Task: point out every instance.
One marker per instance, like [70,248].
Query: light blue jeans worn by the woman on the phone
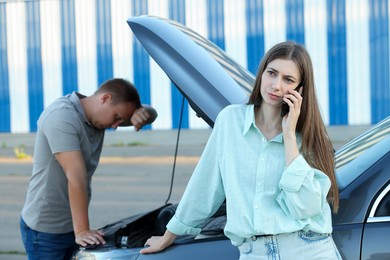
[297,245]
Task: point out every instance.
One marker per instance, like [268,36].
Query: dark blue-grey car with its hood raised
[210,81]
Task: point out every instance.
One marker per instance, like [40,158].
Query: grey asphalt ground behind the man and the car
[134,175]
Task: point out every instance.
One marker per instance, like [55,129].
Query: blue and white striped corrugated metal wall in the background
[50,48]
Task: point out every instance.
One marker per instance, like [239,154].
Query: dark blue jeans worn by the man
[46,246]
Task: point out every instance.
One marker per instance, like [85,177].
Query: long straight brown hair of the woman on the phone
[316,146]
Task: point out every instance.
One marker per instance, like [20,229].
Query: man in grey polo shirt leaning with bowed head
[68,145]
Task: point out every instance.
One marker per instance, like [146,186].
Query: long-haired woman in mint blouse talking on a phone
[276,172]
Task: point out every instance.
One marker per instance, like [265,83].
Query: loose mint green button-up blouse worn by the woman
[263,196]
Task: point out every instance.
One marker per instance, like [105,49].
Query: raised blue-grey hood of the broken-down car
[202,72]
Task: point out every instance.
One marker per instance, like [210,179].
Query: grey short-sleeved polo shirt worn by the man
[62,127]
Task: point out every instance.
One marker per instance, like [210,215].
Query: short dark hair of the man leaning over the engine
[121,91]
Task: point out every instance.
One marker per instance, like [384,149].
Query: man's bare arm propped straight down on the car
[73,165]
